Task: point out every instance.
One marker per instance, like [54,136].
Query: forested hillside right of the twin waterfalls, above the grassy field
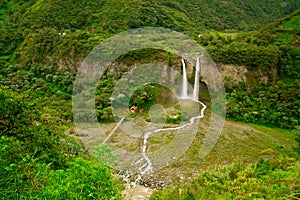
[270,96]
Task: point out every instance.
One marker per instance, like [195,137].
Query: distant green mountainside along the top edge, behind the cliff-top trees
[119,15]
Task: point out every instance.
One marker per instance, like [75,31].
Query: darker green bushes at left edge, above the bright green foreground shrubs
[21,122]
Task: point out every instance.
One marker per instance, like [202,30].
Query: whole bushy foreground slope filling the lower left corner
[39,161]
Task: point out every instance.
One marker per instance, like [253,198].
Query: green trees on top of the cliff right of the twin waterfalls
[277,45]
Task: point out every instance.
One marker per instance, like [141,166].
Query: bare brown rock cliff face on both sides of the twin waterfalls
[231,74]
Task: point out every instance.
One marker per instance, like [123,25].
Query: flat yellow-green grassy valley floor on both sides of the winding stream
[238,142]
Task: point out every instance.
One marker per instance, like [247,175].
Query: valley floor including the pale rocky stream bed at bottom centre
[232,146]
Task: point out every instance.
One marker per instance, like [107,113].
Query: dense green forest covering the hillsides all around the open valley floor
[43,43]
